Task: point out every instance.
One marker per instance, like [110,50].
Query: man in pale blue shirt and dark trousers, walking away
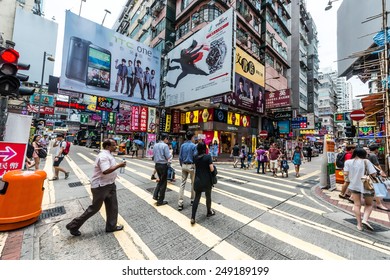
[161,157]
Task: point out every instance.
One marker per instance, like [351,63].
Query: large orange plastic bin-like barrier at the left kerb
[21,198]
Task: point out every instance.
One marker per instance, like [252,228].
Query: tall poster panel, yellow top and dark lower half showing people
[249,84]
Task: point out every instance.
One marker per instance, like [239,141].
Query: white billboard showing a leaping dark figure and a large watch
[202,65]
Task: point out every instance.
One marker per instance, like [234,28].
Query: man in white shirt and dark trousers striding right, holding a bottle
[103,190]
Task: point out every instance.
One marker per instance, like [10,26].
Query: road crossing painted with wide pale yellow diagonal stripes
[258,217]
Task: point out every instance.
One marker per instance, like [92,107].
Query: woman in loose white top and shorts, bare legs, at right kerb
[355,170]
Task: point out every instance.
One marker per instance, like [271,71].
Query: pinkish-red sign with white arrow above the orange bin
[11,156]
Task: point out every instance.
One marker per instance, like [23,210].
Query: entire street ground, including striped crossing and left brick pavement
[258,217]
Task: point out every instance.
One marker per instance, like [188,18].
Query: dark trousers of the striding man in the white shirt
[107,195]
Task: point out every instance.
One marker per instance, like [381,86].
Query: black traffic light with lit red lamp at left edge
[9,83]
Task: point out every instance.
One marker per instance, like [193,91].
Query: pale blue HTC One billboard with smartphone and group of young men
[101,62]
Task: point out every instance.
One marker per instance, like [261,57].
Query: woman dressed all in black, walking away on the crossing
[203,180]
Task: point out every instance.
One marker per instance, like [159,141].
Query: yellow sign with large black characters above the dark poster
[249,67]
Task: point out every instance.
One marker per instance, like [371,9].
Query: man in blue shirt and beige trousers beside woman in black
[186,160]
